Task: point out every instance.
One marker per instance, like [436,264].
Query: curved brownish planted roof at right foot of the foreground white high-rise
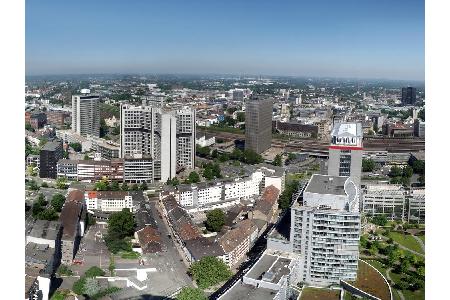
[370,281]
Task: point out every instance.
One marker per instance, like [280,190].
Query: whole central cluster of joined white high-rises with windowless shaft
[168,137]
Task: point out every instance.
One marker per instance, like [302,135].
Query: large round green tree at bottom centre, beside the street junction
[209,271]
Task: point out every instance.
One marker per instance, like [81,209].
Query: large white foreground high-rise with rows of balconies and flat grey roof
[325,230]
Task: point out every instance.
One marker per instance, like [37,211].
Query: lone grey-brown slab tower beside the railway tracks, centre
[258,123]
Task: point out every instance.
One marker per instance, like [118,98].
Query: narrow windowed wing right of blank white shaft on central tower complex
[185,138]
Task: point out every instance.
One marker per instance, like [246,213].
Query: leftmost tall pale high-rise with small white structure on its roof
[86,113]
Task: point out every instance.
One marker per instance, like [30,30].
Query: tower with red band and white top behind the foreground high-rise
[345,151]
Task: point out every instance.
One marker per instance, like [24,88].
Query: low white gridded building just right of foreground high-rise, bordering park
[384,199]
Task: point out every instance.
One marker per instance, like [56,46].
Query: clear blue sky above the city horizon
[331,38]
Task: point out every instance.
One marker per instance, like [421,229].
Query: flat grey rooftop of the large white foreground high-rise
[326,184]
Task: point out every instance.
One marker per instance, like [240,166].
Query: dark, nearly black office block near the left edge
[49,156]
